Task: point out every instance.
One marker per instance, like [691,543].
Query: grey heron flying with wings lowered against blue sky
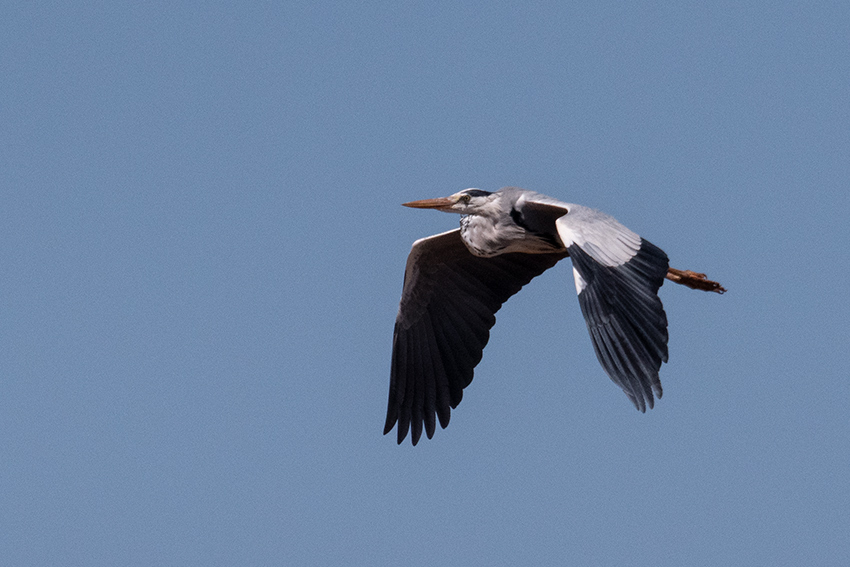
[455,282]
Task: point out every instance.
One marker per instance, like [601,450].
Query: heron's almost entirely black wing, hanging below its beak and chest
[448,306]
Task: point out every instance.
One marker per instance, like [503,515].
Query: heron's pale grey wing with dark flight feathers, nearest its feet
[617,275]
